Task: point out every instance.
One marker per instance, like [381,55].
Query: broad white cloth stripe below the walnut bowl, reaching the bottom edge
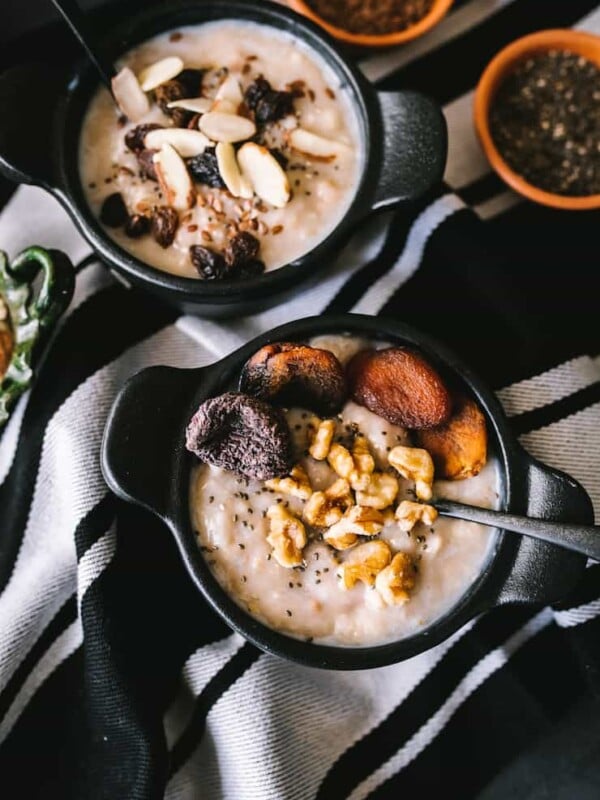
[330,711]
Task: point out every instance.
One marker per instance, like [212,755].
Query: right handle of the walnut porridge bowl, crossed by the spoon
[542,572]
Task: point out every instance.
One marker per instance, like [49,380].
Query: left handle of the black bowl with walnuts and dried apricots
[143,446]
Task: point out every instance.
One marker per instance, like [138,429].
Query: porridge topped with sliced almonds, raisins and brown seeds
[234,150]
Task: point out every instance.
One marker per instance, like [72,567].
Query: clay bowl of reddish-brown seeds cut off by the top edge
[374,23]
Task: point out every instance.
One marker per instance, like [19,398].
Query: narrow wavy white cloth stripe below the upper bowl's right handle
[410,260]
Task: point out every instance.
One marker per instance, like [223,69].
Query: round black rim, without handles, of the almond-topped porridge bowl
[151,22]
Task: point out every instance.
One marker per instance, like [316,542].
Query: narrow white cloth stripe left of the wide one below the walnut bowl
[197,672]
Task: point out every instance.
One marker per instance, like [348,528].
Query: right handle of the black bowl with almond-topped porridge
[415,140]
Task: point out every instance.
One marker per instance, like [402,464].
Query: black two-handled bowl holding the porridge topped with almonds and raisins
[403,135]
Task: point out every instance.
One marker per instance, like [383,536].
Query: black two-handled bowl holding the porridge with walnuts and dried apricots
[144,461]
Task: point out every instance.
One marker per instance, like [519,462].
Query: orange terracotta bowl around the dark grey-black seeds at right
[585,44]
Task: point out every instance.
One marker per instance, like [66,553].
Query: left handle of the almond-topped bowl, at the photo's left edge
[28,97]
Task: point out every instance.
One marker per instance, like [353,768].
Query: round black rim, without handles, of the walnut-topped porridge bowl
[477,597]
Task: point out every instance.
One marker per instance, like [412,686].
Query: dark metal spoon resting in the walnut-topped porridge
[583,539]
